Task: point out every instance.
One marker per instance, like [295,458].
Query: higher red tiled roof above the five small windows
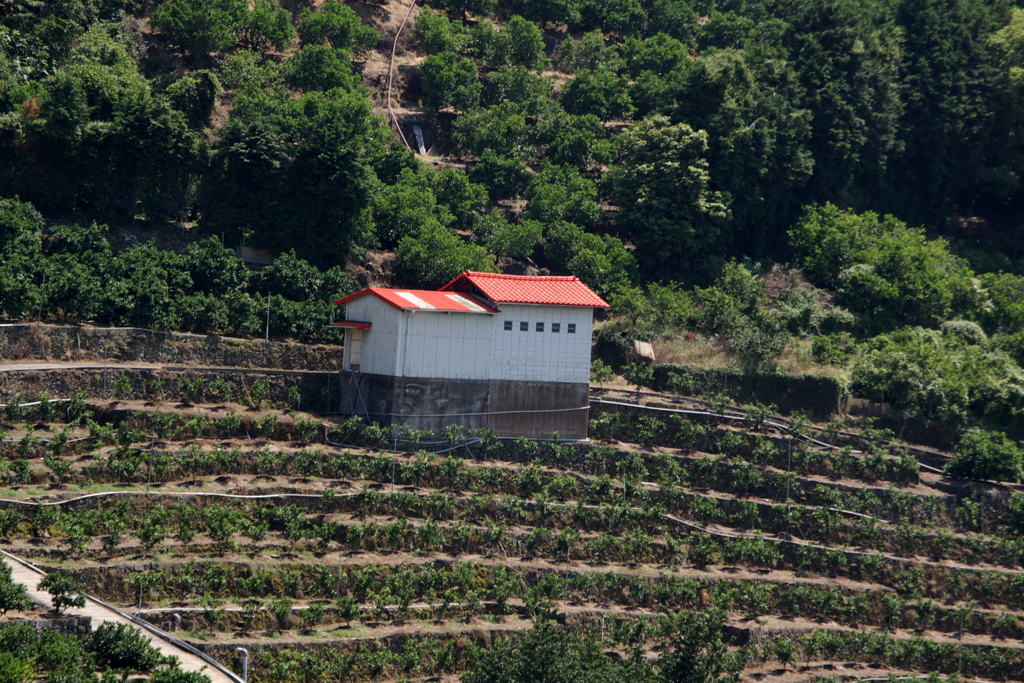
[549,290]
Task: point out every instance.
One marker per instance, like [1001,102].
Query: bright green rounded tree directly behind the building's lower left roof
[435,257]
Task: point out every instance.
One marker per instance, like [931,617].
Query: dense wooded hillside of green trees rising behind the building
[830,187]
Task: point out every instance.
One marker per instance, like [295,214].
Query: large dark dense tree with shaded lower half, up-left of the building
[294,173]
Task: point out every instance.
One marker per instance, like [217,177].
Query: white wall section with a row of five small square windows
[543,357]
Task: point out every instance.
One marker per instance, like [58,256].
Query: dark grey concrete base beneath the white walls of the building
[535,410]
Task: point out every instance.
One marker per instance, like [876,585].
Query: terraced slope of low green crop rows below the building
[791,553]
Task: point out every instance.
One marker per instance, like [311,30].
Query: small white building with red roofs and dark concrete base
[508,353]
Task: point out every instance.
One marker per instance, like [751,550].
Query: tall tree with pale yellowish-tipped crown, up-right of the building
[662,188]
